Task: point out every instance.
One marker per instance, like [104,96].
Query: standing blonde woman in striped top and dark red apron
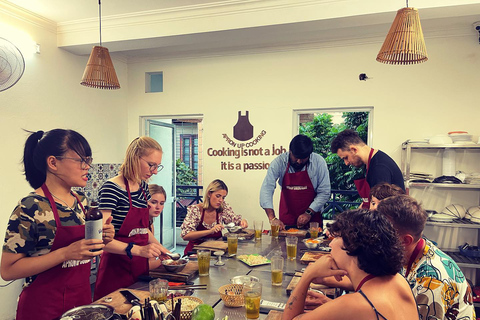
[125,198]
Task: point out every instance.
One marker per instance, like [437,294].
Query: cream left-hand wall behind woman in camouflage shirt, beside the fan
[49,95]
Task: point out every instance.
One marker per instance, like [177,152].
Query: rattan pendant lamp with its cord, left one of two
[99,72]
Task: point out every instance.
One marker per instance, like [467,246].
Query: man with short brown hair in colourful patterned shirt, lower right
[438,284]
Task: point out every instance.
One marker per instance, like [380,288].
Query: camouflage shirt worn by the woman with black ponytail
[31,228]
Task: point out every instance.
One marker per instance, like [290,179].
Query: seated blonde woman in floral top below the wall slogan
[205,220]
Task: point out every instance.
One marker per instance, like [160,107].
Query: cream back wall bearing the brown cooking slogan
[409,101]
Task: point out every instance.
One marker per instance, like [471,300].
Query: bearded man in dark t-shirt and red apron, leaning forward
[380,167]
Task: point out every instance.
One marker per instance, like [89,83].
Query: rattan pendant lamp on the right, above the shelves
[404,43]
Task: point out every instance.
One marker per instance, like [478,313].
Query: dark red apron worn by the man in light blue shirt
[297,195]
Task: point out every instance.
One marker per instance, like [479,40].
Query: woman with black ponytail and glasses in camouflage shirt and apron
[44,242]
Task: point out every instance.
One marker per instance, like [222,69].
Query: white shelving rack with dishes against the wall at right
[426,158]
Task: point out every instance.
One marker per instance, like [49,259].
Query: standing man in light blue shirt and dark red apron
[304,178]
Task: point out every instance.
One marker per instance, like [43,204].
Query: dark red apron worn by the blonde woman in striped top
[119,271]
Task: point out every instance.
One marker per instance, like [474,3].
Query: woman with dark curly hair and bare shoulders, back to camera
[365,249]
